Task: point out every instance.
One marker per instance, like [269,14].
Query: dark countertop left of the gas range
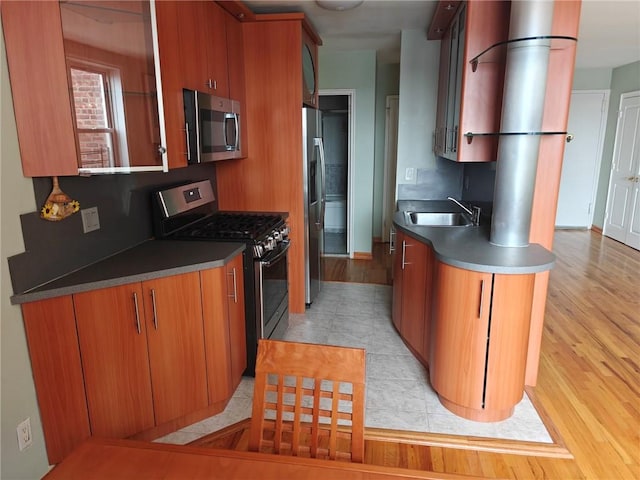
[151,259]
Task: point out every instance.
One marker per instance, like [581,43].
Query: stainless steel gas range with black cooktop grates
[188,212]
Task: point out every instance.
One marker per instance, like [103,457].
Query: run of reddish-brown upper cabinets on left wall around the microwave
[135,68]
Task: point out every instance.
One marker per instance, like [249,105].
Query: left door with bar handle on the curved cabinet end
[462,301]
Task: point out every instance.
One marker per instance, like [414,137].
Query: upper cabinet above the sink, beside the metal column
[470,99]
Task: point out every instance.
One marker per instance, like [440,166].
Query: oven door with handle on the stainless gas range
[273,292]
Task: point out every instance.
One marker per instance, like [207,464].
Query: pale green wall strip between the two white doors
[624,79]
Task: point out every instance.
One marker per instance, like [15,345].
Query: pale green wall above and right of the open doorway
[357,70]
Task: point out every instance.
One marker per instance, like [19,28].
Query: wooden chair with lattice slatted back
[308,400]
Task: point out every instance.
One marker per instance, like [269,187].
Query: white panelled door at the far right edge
[622,221]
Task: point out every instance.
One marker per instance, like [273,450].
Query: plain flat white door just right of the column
[587,122]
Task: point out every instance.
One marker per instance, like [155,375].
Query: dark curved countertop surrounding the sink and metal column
[469,247]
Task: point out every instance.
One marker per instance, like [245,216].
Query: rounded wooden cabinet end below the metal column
[479,341]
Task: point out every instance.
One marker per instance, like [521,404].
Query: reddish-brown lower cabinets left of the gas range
[118,361]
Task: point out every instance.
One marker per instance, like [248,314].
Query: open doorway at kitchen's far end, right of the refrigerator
[336,108]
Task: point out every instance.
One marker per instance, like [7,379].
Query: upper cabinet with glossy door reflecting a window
[59,51]
